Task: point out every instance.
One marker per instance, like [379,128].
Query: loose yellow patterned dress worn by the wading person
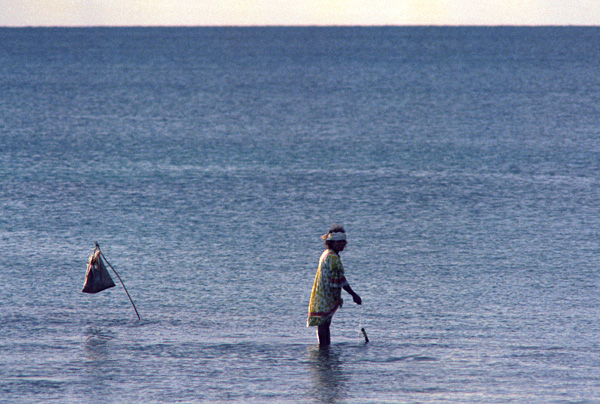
[327,289]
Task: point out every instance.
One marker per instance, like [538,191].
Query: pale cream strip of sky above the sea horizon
[297,12]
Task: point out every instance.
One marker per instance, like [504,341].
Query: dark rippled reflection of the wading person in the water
[329,380]
